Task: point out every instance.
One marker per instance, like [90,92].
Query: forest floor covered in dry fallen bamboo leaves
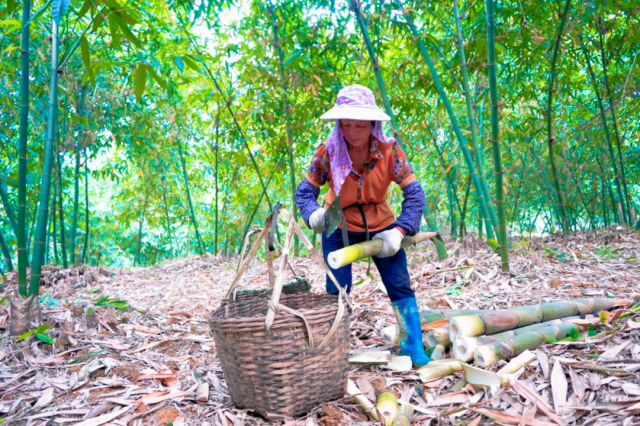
[144,365]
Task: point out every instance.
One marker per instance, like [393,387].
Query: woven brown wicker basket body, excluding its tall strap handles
[276,373]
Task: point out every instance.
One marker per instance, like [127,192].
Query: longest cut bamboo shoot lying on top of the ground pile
[492,322]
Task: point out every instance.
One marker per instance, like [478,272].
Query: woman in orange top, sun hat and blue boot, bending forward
[359,162]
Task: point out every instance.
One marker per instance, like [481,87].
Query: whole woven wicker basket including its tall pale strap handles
[282,354]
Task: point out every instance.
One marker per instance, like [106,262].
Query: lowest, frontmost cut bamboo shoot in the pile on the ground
[489,354]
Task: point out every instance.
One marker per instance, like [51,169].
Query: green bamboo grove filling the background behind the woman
[134,132]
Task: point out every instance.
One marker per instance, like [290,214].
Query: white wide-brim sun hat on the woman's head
[355,102]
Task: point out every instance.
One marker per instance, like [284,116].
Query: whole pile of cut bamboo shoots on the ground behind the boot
[491,335]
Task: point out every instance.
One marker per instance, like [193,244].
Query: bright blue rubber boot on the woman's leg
[410,335]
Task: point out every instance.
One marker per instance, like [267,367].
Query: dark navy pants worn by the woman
[393,270]
